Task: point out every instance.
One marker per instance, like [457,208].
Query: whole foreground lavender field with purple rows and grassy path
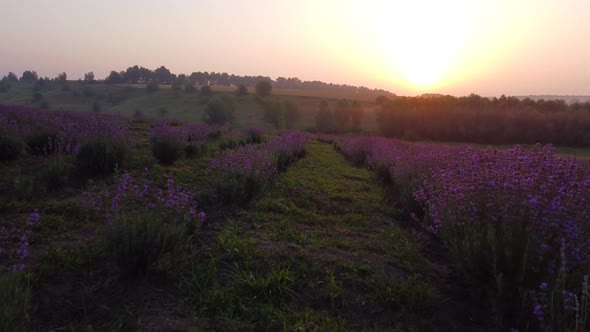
[111,222]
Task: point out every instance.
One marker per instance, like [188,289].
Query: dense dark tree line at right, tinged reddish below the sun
[503,120]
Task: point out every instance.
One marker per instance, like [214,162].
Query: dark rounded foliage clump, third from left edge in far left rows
[100,156]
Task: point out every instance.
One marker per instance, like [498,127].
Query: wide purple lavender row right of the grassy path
[521,215]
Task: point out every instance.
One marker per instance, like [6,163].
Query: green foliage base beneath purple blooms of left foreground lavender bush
[139,240]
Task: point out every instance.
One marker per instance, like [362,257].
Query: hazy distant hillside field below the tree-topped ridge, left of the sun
[130,100]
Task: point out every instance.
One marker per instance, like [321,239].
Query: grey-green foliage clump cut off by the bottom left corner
[15,301]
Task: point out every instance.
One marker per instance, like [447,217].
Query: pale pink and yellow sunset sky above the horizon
[512,47]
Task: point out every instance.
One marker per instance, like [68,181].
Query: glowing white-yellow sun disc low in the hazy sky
[423,40]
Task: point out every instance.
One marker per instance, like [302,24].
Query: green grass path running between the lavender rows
[319,251]
